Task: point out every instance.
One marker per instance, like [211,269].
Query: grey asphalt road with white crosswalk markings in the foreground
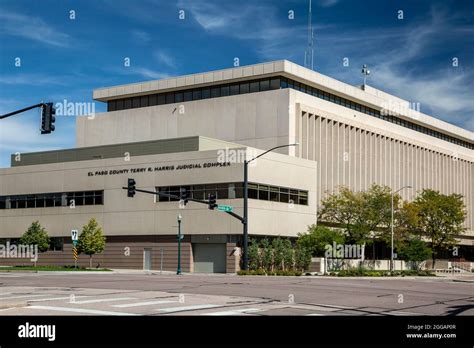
[138,293]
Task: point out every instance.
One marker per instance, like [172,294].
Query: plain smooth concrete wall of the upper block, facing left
[258,119]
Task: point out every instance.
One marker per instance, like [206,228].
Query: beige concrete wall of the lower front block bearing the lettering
[140,215]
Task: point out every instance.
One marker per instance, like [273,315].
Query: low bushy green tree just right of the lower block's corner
[316,239]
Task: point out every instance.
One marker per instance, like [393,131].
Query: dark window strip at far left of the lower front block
[57,199]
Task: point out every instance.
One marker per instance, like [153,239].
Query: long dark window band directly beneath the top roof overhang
[261,85]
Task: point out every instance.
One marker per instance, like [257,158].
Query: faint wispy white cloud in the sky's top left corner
[32,28]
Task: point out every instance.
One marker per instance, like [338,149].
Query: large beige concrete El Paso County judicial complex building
[172,133]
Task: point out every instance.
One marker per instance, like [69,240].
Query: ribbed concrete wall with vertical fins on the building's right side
[356,153]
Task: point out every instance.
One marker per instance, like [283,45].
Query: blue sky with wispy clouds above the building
[66,59]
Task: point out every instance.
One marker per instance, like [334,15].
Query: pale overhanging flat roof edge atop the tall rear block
[368,96]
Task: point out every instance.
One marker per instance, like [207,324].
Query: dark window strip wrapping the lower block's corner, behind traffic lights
[235,190]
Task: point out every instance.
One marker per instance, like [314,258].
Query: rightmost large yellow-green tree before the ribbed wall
[441,219]
